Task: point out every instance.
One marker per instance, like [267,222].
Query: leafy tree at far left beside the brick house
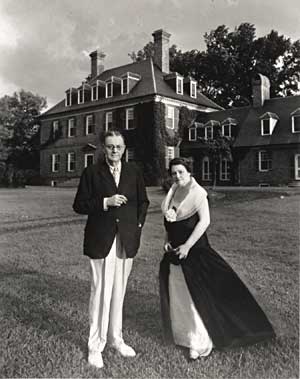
[19,129]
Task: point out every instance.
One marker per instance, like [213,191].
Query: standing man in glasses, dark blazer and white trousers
[113,195]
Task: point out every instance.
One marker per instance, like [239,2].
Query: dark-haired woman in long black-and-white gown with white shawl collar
[204,303]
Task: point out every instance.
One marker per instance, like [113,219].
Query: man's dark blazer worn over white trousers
[97,183]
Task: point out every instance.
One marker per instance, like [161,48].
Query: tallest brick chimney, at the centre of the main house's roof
[161,50]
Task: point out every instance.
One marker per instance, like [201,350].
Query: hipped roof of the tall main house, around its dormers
[152,83]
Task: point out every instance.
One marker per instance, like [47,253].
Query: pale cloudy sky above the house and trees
[45,44]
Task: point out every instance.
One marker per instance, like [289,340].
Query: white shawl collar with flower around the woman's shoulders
[190,204]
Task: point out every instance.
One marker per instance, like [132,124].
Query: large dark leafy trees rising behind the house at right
[232,58]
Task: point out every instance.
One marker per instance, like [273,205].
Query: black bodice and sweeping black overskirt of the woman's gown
[228,310]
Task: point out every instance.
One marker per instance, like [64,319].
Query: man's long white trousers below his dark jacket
[108,286]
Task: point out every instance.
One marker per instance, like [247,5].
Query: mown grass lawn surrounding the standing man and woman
[44,285]
